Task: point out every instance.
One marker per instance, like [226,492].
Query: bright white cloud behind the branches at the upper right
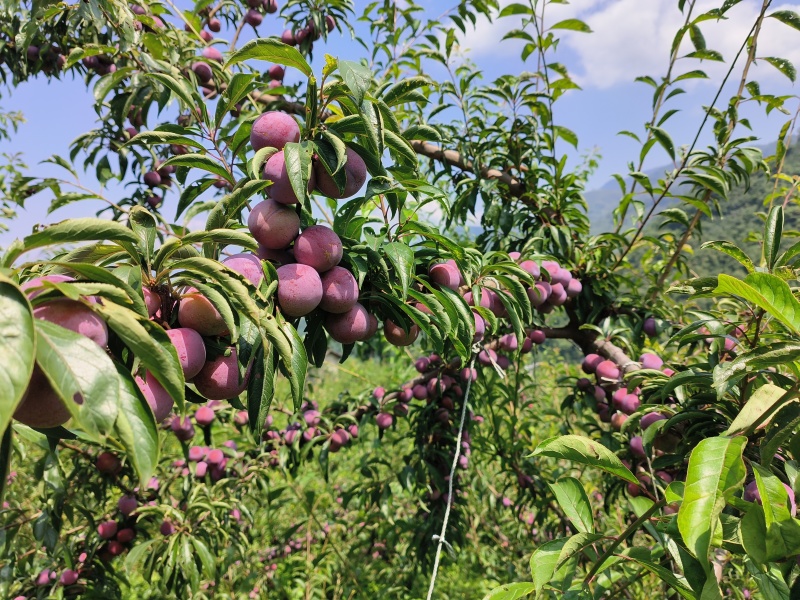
[633,38]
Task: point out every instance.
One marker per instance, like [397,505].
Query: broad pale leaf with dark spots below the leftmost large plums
[82,375]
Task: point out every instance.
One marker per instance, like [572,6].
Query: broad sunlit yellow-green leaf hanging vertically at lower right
[715,471]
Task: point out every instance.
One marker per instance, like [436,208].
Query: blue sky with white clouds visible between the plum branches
[629,38]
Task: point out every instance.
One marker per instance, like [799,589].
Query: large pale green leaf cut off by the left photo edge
[17,349]
